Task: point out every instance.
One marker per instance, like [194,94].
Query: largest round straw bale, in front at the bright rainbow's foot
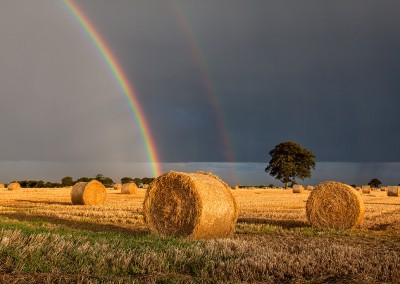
[193,205]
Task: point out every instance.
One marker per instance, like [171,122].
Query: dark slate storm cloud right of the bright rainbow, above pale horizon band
[324,74]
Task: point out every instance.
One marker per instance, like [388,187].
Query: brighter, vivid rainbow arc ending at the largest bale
[123,83]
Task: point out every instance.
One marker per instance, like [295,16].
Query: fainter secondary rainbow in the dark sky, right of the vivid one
[208,83]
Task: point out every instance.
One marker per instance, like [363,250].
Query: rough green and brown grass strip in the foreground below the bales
[32,252]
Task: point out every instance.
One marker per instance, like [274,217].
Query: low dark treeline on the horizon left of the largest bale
[69,181]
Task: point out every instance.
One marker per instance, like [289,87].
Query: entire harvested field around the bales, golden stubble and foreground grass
[44,238]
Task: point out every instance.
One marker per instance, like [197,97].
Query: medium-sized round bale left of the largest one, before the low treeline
[88,193]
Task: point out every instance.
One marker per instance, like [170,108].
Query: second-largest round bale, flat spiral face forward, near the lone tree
[334,205]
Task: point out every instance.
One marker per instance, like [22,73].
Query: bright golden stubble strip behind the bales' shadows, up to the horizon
[265,206]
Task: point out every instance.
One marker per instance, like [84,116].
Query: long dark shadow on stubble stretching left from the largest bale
[76,225]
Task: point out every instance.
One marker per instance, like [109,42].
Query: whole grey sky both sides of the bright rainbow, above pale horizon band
[324,74]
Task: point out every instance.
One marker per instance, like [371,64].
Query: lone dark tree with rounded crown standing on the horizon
[290,161]
